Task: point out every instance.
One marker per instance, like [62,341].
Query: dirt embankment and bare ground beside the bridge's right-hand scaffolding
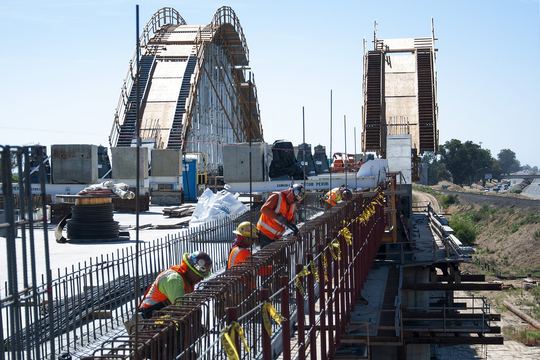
[508,241]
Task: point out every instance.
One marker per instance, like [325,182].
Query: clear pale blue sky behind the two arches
[63,62]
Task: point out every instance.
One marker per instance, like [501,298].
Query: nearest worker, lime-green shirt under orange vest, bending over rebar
[173,283]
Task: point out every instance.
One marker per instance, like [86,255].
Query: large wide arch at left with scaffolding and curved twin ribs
[196,89]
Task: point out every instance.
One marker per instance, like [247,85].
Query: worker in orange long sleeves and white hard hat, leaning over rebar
[278,212]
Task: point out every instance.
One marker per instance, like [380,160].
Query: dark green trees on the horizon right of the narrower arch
[465,163]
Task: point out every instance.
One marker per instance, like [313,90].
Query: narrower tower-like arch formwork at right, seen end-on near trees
[400,94]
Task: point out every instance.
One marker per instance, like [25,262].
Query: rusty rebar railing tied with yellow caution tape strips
[333,254]
